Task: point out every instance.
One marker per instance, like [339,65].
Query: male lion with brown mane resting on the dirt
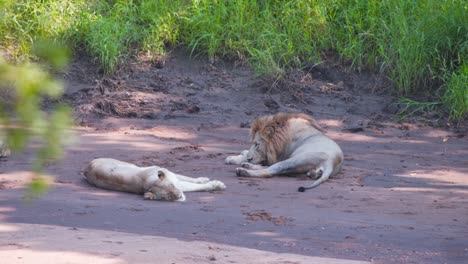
[289,144]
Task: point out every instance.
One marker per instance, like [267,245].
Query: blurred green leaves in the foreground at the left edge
[23,88]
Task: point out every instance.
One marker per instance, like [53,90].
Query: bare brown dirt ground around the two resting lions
[402,196]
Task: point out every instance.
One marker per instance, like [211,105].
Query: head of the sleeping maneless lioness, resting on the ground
[163,189]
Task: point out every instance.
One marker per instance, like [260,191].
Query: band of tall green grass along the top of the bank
[420,45]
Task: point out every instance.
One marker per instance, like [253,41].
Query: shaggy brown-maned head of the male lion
[271,135]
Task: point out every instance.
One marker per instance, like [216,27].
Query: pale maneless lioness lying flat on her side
[154,182]
